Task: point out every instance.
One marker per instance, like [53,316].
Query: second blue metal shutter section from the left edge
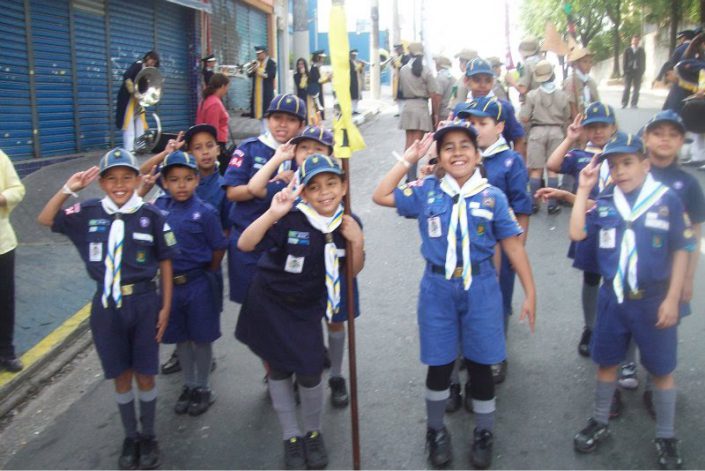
[52,66]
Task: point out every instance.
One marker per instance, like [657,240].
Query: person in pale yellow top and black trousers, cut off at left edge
[11,193]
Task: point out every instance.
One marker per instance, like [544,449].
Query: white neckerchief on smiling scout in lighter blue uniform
[459,218]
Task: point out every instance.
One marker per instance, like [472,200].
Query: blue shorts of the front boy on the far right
[617,323]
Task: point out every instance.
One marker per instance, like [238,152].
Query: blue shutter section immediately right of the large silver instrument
[175,39]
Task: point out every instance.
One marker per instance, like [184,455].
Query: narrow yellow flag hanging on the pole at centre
[347,137]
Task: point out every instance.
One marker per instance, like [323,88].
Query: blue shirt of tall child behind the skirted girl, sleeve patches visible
[247,159]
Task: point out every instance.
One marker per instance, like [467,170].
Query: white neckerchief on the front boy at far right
[650,193]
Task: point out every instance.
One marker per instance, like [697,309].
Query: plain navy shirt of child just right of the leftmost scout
[197,226]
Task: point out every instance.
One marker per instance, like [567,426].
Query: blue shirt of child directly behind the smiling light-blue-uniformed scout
[506,170]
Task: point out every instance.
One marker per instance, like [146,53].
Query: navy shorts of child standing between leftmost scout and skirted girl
[194,313]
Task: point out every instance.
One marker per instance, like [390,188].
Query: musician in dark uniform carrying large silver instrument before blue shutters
[127,119]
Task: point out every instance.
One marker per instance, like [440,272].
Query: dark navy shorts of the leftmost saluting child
[125,338]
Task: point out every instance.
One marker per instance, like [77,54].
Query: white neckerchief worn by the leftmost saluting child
[116,238]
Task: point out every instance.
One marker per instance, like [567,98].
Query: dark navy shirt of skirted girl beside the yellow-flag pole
[293,260]
